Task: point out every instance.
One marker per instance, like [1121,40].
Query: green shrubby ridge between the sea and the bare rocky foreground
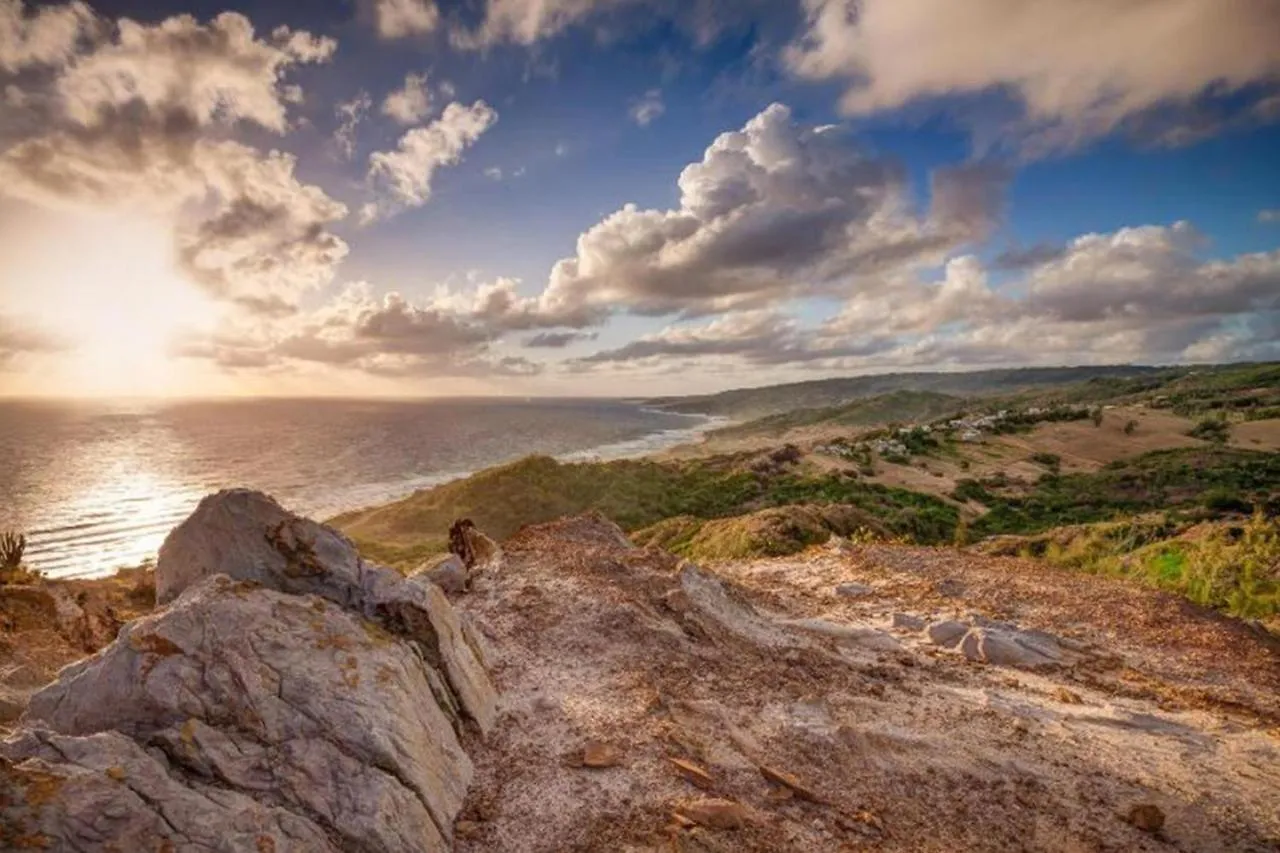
[636,494]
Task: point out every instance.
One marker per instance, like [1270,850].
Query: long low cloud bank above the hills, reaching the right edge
[1132,295]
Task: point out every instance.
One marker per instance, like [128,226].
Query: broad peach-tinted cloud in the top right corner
[1078,70]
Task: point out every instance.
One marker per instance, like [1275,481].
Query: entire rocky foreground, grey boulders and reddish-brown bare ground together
[580,694]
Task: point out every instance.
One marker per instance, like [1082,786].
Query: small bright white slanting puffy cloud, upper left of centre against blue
[405,176]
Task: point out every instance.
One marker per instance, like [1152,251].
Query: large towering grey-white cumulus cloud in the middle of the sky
[772,212]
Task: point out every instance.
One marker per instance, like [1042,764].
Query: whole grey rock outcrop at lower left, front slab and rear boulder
[290,697]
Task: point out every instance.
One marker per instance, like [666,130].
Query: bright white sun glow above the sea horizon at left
[121,304]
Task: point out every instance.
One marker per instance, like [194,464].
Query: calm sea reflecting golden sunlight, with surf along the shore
[98,486]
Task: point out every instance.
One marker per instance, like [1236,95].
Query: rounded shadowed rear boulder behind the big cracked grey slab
[249,537]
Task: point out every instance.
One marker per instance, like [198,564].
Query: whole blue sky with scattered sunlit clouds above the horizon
[628,198]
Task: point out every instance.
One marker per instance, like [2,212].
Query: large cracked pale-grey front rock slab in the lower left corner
[268,717]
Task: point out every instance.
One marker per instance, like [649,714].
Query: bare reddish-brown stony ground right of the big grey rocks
[801,705]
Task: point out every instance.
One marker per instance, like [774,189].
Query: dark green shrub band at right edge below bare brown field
[1162,480]
